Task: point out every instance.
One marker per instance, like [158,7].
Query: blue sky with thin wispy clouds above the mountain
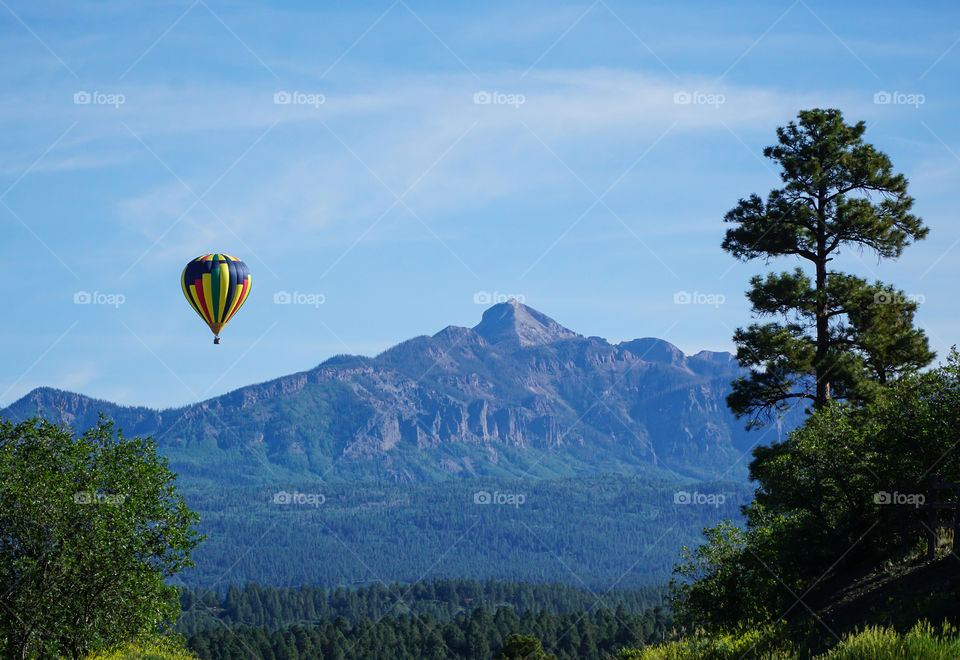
[387,193]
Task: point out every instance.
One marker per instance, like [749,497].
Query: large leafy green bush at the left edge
[91,527]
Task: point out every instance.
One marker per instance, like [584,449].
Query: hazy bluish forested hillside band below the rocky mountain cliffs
[592,531]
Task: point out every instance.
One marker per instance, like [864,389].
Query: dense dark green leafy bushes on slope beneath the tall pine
[821,505]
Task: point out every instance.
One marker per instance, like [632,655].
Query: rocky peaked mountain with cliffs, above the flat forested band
[517,395]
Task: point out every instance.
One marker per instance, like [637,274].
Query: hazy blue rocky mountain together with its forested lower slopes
[515,450]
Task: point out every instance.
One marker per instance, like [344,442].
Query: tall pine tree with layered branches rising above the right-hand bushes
[838,336]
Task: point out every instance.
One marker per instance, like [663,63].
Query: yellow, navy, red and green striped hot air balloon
[216,285]
